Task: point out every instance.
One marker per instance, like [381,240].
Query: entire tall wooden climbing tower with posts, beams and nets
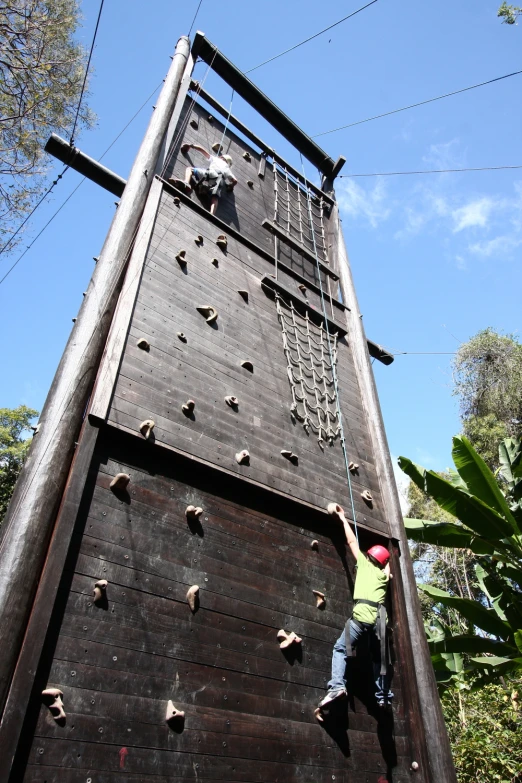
[172,616]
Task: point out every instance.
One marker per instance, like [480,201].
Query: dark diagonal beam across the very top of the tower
[261,103]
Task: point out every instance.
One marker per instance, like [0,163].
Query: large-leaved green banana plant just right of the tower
[486,518]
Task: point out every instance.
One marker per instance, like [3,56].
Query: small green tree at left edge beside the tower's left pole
[14,423]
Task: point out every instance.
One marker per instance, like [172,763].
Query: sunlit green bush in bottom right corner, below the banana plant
[484,728]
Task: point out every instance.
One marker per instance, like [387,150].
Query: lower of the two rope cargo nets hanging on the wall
[310,372]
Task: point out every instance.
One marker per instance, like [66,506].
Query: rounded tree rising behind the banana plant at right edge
[487,372]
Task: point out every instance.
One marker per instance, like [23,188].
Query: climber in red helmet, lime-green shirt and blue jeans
[368,621]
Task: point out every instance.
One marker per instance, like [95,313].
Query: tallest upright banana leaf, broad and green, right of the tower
[479,480]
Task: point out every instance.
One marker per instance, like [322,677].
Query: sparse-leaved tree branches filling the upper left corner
[41,75]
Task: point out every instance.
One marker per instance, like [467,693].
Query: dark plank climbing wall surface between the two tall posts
[248,705]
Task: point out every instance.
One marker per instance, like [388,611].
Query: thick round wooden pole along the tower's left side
[31,515]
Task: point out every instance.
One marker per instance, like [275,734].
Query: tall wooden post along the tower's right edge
[437,742]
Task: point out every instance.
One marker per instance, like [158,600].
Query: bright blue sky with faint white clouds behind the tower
[435,258]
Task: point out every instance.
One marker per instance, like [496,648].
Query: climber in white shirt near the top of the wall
[210,181]
